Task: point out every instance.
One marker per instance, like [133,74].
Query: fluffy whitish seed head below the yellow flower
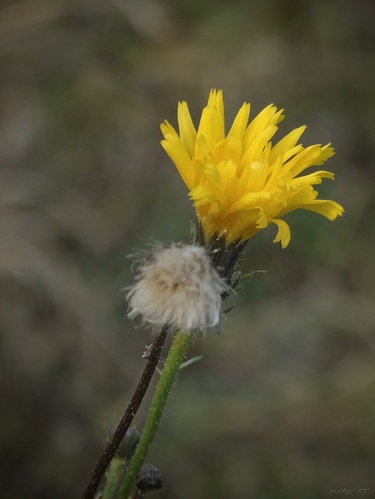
[179,287]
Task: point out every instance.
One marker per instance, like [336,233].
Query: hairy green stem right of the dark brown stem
[168,377]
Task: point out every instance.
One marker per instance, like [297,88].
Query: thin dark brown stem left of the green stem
[153,357]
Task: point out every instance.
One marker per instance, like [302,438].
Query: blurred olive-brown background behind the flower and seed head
[282,403]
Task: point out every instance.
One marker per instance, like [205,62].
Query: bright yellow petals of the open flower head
[240,182]
